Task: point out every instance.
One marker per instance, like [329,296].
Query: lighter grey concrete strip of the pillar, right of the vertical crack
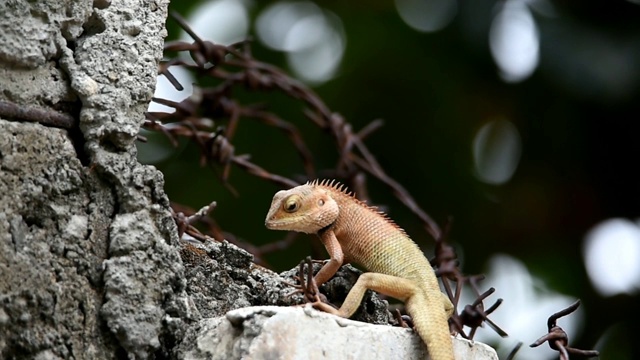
[113,71]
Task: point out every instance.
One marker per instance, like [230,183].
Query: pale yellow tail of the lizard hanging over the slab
[431,323]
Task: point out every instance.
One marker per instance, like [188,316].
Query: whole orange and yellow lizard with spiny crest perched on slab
[353,231]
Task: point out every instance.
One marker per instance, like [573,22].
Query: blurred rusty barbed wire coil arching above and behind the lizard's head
[234,66]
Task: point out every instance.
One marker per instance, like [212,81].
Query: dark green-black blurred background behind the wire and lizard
[434,91]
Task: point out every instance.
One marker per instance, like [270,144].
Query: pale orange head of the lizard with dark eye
[305,208]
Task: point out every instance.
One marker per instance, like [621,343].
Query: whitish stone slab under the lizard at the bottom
[271,332]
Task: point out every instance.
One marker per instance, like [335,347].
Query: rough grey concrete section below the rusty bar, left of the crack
[52,243]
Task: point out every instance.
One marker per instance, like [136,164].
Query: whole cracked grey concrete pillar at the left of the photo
[80,244]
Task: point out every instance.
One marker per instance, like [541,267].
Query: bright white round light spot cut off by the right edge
[612,256]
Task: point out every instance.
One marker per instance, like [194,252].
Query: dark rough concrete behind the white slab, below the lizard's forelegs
[221,277]
